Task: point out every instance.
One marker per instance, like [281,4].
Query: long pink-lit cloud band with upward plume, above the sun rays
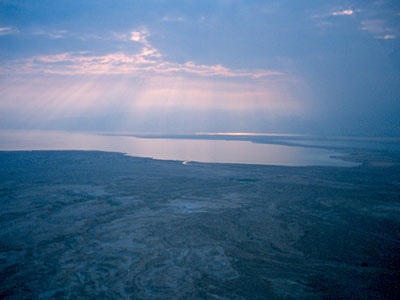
[147,61]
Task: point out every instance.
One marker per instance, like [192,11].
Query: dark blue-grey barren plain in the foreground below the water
[97,225]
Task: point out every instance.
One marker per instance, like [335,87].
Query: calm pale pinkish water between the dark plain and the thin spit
[171,149]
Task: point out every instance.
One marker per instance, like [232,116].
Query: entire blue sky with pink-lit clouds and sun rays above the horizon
[305,67]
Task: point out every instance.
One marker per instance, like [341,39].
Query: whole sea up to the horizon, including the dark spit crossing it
[246,148]
